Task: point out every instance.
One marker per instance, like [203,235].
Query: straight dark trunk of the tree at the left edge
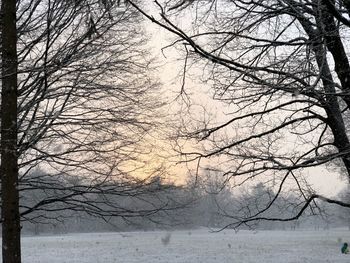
[11,247]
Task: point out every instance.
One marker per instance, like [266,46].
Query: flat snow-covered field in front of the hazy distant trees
[188,246]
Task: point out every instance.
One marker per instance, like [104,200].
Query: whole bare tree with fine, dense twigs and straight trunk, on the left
[78,105]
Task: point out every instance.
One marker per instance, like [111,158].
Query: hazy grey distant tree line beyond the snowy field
[204,202]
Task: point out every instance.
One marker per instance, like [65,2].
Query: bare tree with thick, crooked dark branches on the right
[281,72]
